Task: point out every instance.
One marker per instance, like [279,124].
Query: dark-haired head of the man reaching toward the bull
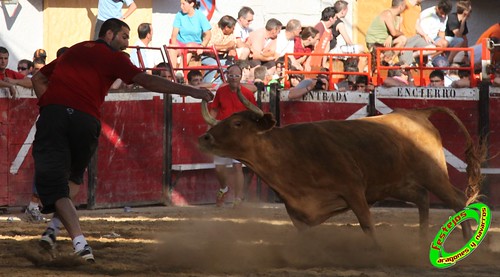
[116,33]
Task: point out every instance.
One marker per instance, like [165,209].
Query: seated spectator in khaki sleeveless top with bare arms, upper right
[384,31]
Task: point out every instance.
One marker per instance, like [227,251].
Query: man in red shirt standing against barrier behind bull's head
[226,103]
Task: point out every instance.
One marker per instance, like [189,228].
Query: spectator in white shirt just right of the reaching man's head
[145,32]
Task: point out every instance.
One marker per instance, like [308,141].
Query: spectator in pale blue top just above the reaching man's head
[107,9]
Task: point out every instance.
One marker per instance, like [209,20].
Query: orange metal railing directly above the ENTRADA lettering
[331,70]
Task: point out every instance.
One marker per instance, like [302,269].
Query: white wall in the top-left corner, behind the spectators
[21,29]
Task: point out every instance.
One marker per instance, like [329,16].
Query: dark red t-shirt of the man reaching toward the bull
[81,78]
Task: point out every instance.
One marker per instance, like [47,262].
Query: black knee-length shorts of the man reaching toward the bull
[64,143]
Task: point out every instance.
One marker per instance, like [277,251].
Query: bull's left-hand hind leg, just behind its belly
[420,197]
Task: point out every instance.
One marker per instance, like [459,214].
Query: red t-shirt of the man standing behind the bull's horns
[226,102]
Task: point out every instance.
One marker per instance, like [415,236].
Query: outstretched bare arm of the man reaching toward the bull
[162,85]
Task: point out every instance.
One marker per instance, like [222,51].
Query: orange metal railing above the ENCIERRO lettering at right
[421,67]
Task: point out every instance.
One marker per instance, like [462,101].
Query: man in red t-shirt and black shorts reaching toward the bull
[71,90]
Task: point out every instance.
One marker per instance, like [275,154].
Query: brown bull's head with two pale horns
[232,136]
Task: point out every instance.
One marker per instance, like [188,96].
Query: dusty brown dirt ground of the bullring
[256,240]
